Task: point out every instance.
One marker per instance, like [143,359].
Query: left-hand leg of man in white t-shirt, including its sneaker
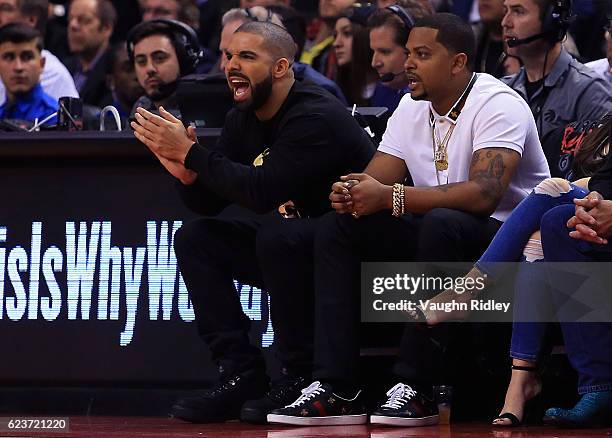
[341,243]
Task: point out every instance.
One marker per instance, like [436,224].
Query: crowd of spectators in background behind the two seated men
[355,50]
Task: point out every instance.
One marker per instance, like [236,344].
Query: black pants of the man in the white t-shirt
[343,242]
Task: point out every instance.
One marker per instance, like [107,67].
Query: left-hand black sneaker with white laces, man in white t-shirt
[319,406]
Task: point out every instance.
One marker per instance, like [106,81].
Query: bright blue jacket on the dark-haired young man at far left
[35,104]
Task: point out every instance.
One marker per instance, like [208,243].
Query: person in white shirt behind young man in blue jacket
[55,79]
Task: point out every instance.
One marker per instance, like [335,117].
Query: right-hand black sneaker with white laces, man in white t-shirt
[406,407]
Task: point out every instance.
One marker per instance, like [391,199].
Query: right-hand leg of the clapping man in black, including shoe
[285,254]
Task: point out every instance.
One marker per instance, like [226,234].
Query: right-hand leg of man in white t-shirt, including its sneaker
[444,235]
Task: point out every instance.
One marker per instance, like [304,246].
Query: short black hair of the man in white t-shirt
[453,33]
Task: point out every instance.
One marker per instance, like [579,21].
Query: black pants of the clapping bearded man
[265,251]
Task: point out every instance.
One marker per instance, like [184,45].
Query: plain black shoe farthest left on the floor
[222,402]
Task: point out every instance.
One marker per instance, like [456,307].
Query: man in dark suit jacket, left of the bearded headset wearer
[90,26]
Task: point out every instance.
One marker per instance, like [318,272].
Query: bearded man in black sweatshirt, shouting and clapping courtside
[284,144]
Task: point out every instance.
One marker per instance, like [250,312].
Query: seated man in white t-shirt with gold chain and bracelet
[471,146]
